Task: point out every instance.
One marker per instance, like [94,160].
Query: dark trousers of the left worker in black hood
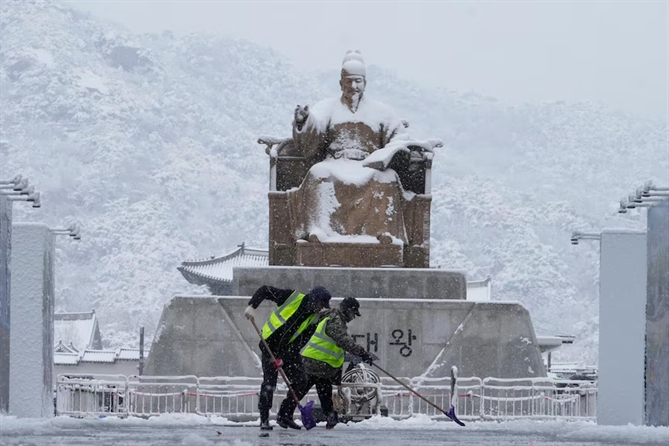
[292,366]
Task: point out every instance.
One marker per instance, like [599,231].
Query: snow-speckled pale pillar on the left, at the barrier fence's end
[32,307]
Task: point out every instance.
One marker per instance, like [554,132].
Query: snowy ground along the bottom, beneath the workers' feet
[198,430]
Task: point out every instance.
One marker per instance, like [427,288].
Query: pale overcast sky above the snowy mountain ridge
[613,52]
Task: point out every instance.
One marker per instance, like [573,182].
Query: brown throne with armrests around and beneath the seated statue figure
[288,168]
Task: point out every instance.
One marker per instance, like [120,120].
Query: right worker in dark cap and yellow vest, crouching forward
[324,357]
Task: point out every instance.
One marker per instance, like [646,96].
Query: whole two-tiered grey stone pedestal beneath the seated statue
[417,321]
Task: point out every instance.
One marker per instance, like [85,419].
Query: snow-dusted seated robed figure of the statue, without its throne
[362,165]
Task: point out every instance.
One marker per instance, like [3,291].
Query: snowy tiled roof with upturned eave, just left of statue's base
[219,269]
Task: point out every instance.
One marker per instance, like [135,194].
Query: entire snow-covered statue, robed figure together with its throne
[350,188]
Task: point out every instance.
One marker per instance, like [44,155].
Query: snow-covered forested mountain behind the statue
[150,142]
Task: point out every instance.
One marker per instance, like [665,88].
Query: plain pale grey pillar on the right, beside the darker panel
[622,327]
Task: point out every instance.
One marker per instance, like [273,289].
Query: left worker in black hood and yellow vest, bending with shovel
[287,330]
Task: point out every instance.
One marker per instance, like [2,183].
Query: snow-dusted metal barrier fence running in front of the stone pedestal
[236,398]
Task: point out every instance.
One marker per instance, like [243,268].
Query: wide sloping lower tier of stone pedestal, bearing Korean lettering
[209,336]
